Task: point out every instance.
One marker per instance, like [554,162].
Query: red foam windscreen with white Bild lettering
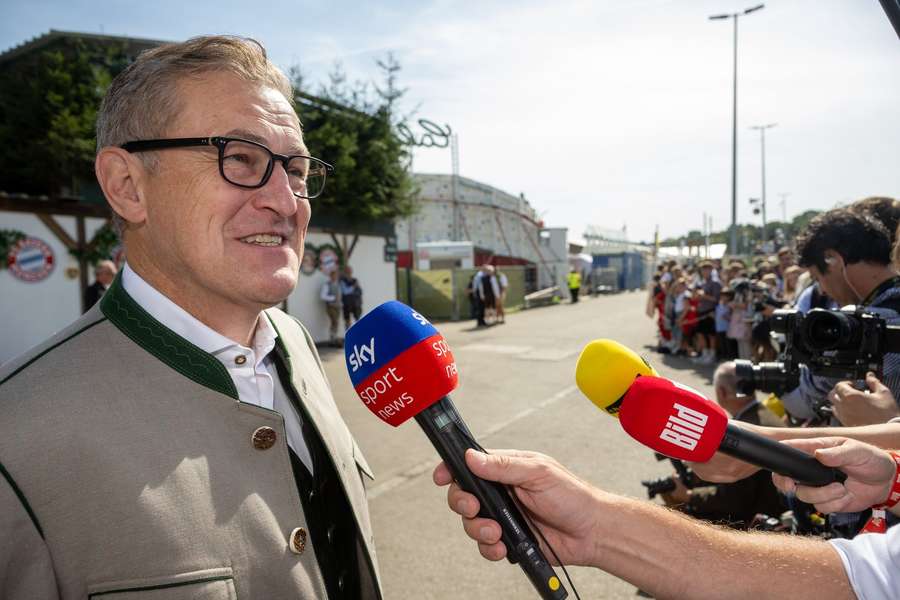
[673,419]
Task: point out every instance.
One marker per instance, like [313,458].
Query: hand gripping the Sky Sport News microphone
[562,506]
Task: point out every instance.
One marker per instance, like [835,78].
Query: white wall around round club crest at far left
[32,312]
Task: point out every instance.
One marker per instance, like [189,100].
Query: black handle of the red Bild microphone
[780,458]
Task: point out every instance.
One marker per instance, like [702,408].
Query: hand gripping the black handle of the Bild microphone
[870,475]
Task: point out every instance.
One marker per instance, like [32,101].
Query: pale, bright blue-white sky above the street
[601,112]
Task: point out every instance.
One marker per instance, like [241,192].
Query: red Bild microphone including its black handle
[677,421]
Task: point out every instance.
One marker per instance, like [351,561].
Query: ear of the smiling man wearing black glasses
[118,173]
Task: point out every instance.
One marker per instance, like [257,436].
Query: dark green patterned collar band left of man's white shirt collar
[163,343]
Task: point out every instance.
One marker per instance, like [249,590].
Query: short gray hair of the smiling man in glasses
[143,99]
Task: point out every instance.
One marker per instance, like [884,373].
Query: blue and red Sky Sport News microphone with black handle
[401,367]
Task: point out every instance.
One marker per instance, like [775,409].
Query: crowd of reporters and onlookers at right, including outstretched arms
[712,312]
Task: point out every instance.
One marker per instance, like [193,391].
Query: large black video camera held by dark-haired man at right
[843,344]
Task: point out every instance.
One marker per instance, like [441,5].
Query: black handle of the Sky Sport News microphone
[451,438]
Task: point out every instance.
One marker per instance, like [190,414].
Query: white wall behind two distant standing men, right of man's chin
[377,278]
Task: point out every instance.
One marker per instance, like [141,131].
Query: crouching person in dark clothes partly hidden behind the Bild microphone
[735,504]
